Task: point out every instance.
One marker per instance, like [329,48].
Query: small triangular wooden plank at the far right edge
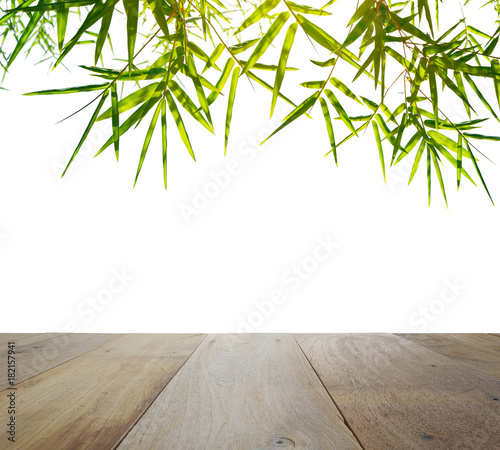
[481,351]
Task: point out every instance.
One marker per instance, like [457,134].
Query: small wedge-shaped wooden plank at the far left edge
[36,353]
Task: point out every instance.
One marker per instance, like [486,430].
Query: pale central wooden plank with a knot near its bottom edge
[247,391]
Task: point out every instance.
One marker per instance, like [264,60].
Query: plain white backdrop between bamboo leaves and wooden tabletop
[270,238]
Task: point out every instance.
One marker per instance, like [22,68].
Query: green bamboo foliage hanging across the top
[203,56]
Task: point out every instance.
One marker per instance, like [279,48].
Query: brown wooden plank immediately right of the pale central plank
[396,394]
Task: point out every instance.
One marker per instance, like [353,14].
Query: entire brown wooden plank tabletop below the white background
[254,391]
